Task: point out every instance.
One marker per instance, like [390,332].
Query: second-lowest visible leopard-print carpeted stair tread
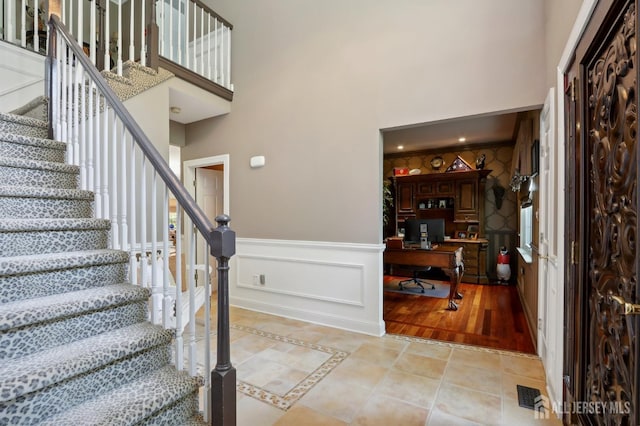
[30,373]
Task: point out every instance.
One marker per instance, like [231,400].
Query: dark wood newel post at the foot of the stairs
[223,377]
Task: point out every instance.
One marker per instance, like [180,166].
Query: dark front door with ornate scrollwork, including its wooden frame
[601,98]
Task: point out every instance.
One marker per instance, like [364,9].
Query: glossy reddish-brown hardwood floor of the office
[488,315]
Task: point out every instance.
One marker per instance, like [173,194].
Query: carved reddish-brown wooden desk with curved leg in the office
[447,258]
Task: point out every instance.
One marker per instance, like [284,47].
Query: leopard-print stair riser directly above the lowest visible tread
[34,407]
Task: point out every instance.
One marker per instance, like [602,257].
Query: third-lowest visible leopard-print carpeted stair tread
[42,309]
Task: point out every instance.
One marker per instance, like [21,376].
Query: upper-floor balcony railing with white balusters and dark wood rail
[177,33]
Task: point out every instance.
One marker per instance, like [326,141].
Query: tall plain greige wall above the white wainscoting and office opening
[315,81]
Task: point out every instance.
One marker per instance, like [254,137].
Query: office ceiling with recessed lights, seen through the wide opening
[476,131]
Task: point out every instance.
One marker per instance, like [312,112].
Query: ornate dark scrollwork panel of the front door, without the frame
[611,140]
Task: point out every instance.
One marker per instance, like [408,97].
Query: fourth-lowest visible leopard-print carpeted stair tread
[15,265]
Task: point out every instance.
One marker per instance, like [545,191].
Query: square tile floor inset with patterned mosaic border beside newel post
[283,372]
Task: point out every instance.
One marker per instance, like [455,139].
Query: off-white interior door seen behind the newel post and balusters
[209,196]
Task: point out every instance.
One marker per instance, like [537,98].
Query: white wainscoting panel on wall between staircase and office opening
[335,284]
